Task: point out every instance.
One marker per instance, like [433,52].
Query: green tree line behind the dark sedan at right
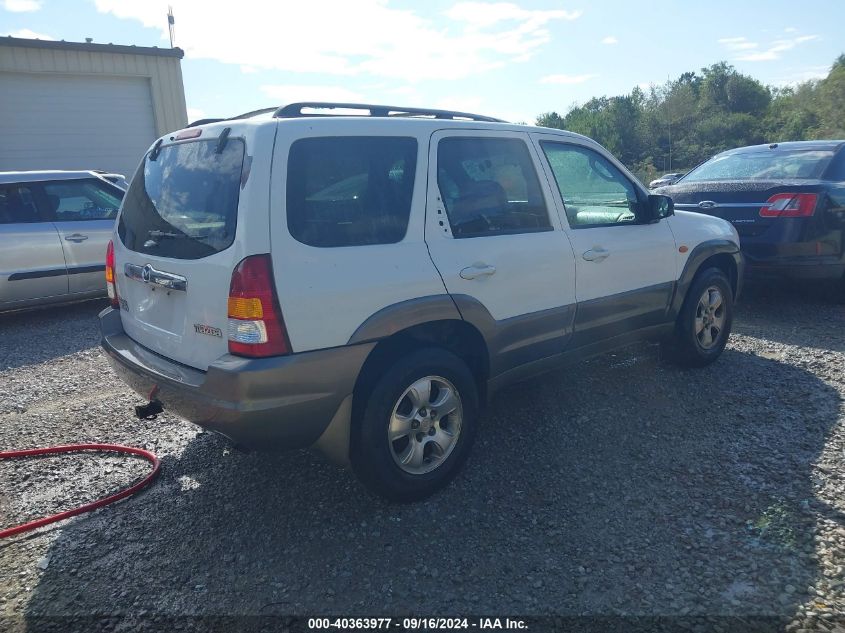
[675,126]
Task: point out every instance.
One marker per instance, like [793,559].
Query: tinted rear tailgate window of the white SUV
[183,203]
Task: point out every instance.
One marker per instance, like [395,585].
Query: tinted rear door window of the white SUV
[490,187]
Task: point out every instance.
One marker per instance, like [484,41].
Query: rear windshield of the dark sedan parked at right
[764,165]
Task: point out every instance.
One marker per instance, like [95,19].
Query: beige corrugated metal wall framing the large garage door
[164,73]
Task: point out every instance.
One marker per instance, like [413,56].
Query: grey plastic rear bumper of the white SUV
[279,402]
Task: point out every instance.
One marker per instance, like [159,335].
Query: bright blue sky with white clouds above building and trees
[512,60]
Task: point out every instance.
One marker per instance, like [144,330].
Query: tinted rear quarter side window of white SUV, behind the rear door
[350,191]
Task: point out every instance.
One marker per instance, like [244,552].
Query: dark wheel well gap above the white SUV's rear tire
[458,337]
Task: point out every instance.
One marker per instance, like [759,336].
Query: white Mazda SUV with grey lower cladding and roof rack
[363,284]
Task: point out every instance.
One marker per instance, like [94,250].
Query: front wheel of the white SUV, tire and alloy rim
[700,336]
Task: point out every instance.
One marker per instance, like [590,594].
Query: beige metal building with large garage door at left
[75,105]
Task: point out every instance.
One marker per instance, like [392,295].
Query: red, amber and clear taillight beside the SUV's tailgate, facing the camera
[256,327]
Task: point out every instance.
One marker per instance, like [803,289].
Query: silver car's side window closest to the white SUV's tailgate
[71,200]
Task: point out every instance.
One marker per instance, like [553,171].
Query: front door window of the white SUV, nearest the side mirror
[593,190]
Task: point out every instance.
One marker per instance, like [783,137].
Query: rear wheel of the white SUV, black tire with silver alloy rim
[429,446]
